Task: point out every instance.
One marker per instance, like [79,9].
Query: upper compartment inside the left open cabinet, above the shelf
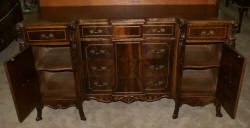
[53,59]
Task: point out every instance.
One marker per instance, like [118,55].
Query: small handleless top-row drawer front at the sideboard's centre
[126,31]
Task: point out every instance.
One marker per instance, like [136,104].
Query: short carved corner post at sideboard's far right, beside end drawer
[233,32]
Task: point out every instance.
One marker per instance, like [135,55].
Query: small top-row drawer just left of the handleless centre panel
[96,31]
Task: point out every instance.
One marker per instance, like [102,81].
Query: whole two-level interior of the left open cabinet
[54,69]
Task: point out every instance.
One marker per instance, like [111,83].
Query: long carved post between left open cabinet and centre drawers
[77,66]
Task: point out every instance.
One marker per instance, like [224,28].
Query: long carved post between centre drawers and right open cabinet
[180,62]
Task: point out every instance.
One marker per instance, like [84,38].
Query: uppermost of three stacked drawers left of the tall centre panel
[99,51]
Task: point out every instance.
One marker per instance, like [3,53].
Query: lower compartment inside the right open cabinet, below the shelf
[199,82]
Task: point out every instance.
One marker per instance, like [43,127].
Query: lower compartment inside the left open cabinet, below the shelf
[57,85]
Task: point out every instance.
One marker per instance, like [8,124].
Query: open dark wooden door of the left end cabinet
[23,83]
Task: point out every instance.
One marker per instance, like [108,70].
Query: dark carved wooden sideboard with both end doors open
[62,64]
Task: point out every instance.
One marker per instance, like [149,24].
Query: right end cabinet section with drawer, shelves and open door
[211,70]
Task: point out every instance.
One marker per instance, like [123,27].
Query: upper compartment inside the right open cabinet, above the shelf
[202,56]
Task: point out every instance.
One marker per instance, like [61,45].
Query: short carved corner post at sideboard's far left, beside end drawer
[20,37]
